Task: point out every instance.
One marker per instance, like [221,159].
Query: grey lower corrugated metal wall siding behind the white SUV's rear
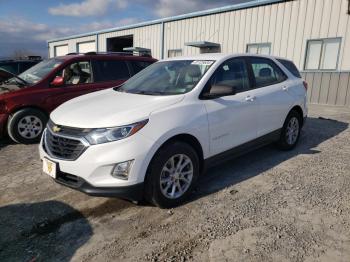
[328,88]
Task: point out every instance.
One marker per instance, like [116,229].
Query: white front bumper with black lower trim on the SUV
[91,171]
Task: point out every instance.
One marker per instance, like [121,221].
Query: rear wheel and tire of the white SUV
[290,131]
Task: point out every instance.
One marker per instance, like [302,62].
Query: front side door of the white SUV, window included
[232,119]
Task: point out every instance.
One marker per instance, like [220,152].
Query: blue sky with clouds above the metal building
[26,25]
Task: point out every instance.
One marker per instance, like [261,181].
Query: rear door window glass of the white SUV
[266,72]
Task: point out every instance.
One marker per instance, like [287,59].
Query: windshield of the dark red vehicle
[39,71]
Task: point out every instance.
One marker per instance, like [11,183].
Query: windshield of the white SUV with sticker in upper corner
[167,78]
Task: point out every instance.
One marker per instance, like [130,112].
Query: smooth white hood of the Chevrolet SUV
[109,108]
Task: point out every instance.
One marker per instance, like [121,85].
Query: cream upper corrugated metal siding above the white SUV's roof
[287,26]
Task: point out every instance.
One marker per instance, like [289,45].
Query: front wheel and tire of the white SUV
[157,192]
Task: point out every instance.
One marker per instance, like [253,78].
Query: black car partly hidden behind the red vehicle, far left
[17,66]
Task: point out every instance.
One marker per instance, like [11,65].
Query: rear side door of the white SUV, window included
[271,91]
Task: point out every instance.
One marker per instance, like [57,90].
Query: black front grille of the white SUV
[63,147]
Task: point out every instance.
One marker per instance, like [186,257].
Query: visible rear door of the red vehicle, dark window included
[110,73]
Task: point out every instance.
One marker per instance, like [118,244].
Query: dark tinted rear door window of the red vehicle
[110,70]
